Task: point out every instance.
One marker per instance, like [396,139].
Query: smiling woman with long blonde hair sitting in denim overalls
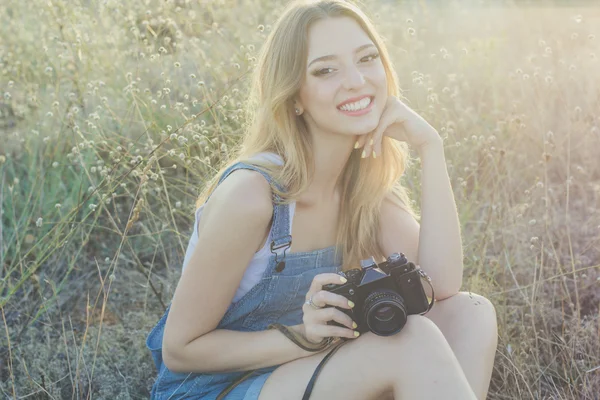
[320,164]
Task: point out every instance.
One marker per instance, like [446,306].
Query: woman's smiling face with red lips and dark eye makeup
[343,63]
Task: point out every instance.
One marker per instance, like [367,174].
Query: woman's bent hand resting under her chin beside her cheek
[399,122]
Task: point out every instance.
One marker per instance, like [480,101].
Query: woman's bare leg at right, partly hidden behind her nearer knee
[468,322]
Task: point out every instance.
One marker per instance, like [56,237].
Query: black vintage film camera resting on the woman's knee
[384,295]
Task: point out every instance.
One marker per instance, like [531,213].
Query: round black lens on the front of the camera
[384,312]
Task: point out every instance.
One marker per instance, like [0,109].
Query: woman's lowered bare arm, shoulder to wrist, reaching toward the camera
[234,222]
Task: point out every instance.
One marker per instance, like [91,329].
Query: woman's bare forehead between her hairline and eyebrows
[337,35]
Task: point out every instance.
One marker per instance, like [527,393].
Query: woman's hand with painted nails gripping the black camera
[323,306]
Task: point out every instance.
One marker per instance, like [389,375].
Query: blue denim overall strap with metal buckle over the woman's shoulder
[282,238]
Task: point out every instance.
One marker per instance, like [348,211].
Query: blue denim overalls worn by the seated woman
[278,297]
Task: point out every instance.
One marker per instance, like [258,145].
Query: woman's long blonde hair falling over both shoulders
[274,127]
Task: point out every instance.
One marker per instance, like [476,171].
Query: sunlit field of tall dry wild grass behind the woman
[114,114]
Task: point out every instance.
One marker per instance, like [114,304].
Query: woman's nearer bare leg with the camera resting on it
[416,363]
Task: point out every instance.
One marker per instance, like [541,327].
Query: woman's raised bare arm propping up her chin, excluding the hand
[436,245]
